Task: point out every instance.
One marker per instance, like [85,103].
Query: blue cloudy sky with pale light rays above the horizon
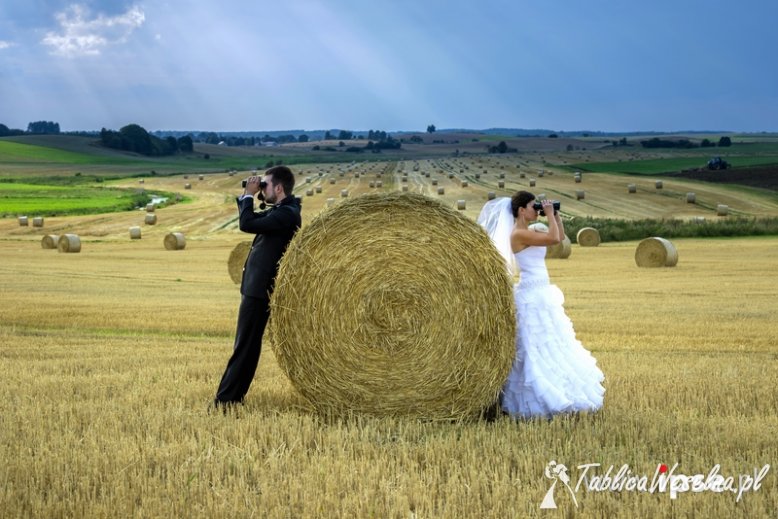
[392,65]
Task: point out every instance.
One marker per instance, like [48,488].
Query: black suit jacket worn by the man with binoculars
[274,230]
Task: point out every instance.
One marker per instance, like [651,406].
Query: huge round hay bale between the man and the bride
[367,315]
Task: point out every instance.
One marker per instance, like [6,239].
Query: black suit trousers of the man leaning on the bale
[252,318]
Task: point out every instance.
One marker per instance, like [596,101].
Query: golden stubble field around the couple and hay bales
[111,356]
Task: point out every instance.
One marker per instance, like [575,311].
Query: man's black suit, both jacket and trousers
[274,230]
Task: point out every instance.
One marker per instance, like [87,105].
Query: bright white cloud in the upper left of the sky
[81,34]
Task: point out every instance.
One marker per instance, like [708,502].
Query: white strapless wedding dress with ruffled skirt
[552,372]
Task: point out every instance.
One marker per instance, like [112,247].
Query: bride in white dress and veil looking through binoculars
[552,372]
